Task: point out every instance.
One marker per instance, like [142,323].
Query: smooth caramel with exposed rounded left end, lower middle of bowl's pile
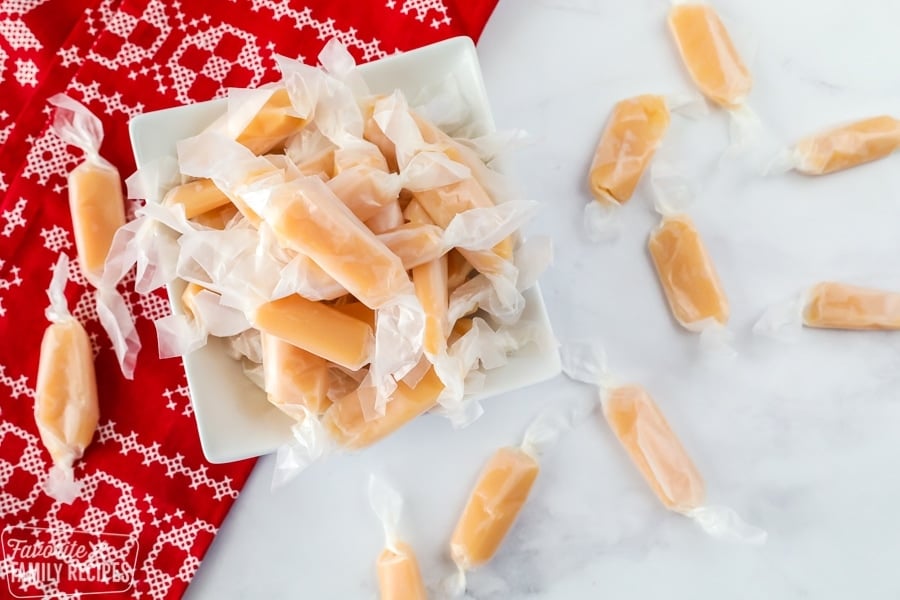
[317,328]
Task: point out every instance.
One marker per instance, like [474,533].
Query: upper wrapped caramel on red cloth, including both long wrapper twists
[98,211]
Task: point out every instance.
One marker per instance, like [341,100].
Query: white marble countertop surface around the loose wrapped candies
[800,438]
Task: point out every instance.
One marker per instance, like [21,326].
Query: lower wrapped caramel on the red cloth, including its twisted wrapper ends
[65,402]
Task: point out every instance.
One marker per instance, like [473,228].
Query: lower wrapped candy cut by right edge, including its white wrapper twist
[832,305]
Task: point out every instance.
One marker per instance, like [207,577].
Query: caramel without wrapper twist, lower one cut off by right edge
[840,306]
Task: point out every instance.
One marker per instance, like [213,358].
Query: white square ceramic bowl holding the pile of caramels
[234,419]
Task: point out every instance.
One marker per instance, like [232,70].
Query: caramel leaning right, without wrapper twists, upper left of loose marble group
[634,132]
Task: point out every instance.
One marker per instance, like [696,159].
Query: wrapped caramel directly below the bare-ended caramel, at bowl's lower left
[294,377]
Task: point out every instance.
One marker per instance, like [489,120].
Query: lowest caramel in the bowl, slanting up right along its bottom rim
[346,421]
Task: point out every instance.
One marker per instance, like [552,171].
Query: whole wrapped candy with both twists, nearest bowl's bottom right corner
[653,447]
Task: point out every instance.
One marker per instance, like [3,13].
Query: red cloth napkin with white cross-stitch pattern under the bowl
[151,504]
